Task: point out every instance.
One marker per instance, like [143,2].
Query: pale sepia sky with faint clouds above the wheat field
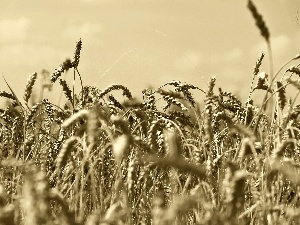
[138,43]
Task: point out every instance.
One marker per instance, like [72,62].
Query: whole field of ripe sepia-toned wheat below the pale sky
[100,160]
